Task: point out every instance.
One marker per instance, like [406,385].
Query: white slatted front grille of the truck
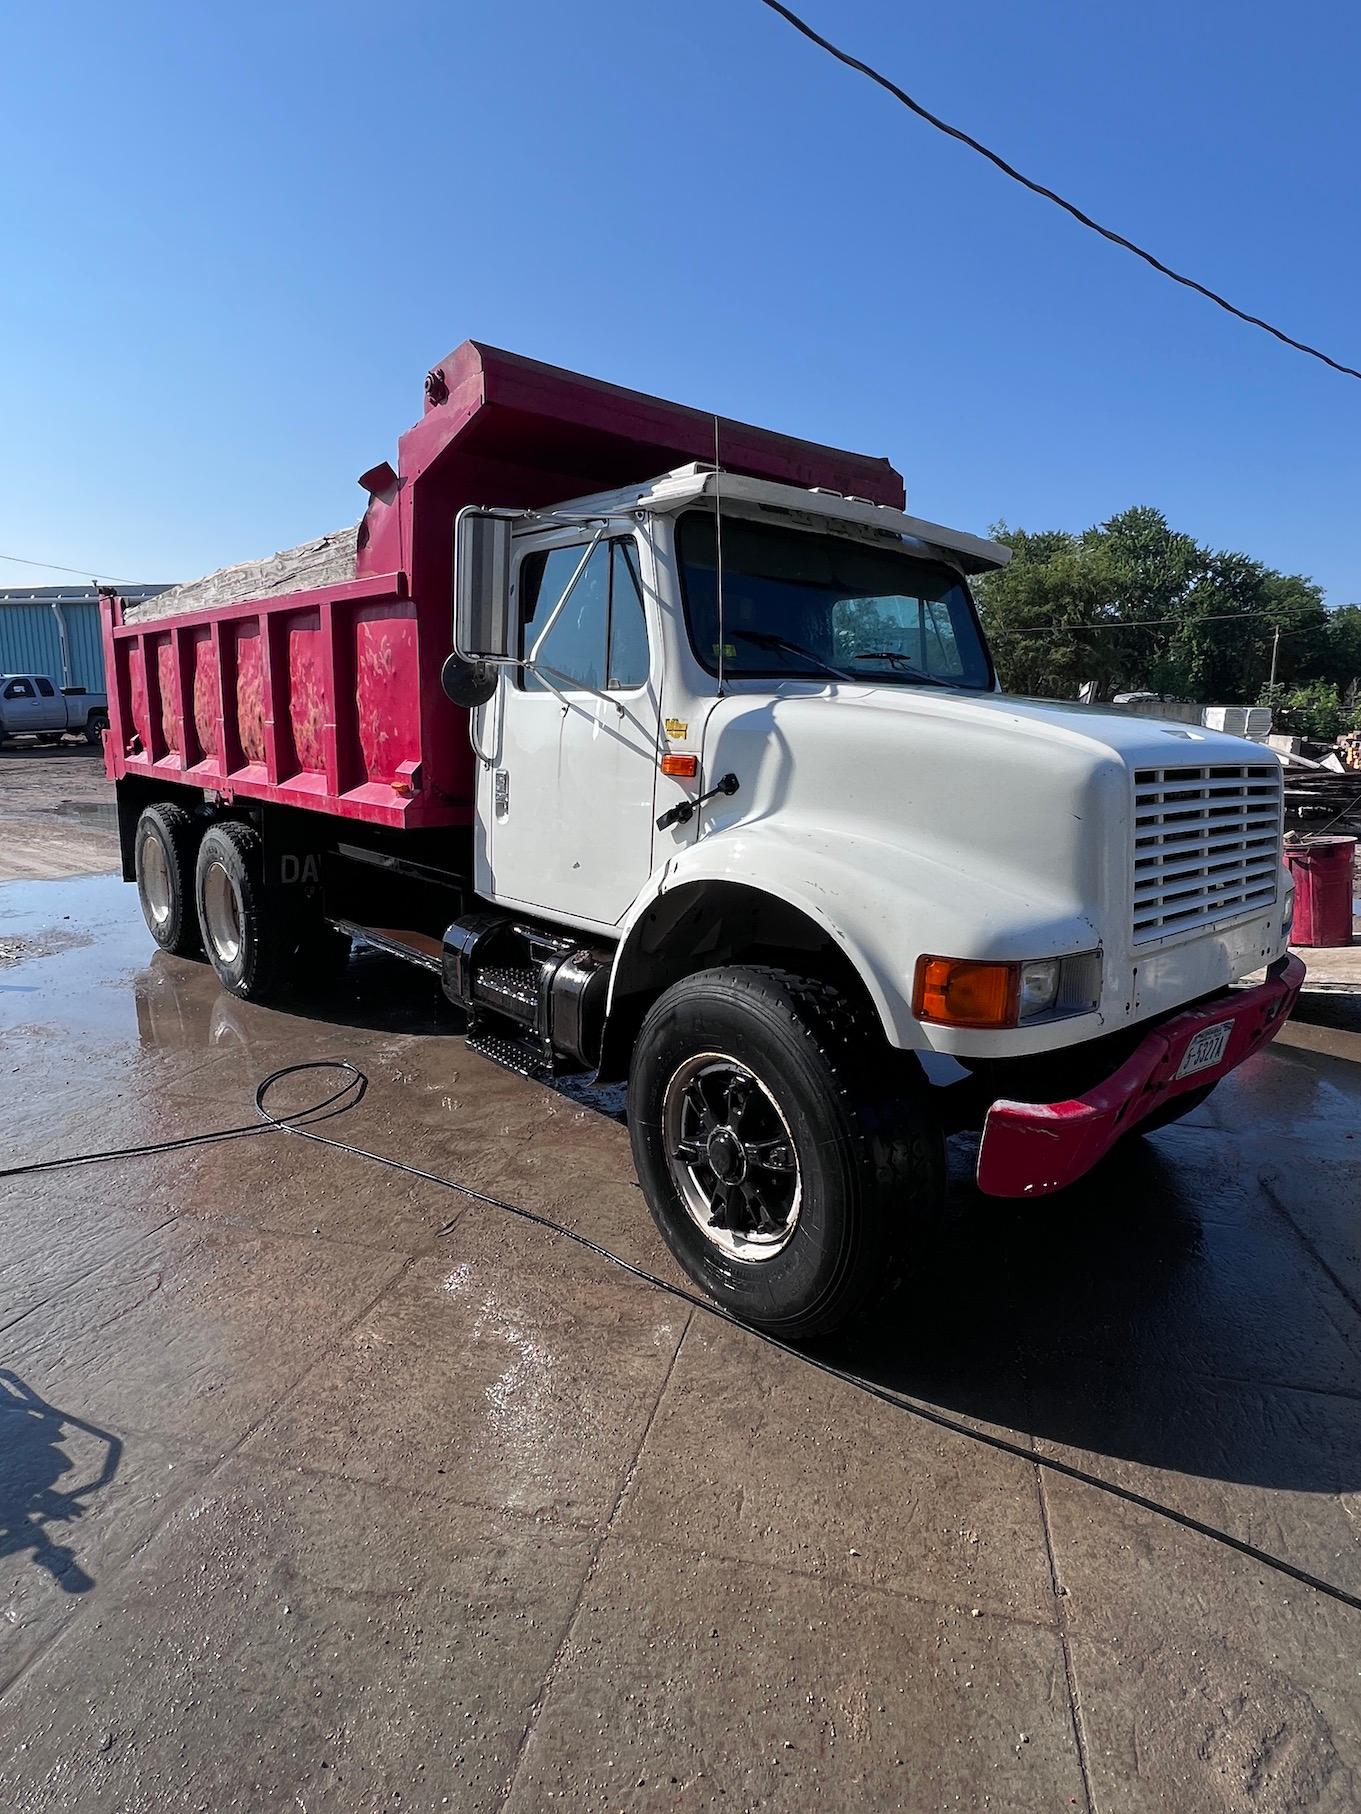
[1208,846]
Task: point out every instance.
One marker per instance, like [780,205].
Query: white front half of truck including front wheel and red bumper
[750,743]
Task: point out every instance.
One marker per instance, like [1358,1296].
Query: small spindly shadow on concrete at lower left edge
[34,1458]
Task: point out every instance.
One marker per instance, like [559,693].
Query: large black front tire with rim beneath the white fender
[781,1146]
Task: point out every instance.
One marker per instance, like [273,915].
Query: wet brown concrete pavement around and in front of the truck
[322,1487]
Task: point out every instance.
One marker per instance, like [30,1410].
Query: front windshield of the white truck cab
[799,603]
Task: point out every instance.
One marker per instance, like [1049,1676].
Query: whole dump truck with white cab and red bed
[672,748]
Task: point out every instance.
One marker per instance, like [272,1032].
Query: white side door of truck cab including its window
[569,795]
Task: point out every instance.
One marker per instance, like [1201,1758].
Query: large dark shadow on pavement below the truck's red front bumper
[1119,1321]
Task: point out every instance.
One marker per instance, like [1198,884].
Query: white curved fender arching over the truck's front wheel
[879,902]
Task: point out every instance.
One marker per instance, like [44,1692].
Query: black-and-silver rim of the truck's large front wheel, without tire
[732,1156]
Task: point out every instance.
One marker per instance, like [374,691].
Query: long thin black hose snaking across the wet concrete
[353,1093]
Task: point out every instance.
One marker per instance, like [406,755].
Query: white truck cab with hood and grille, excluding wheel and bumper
[888,788]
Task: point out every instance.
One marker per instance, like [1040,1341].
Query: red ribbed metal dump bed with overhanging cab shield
[331,699]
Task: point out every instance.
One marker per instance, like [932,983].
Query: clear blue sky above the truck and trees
[235,239]
